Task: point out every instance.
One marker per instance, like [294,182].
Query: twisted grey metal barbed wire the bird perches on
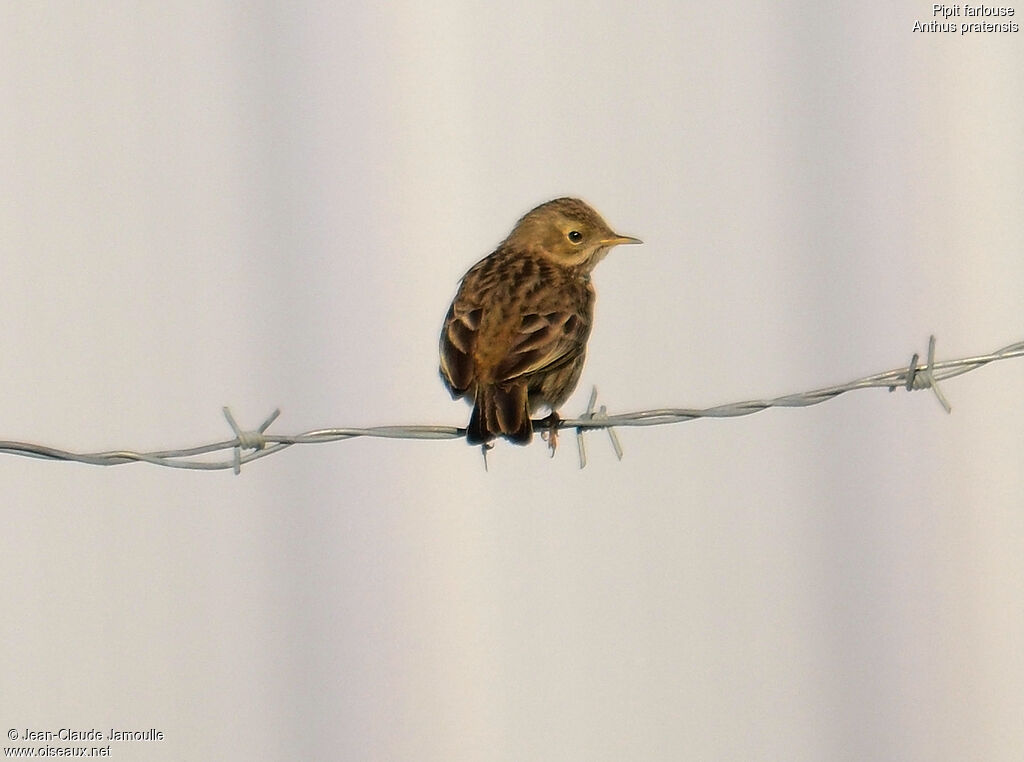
[248,446]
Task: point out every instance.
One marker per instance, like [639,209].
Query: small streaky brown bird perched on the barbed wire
[516,336]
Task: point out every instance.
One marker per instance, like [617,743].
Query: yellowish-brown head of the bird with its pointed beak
[569,232]
